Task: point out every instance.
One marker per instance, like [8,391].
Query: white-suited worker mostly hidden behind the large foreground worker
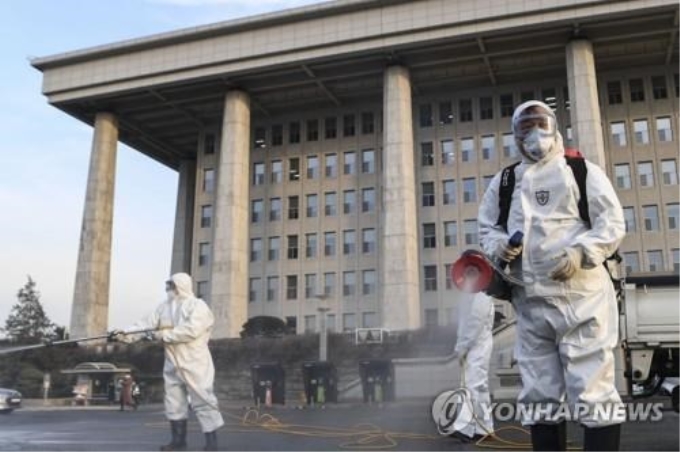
[473,349]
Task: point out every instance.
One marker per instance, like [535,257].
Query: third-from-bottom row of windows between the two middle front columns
[349,245]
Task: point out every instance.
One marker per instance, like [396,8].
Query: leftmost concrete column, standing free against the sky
[90,309]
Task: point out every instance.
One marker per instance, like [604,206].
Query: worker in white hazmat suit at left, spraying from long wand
[184,324]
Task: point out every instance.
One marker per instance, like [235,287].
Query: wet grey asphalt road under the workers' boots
[405,425]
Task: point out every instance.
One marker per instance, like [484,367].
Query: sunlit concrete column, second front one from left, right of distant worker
[229,277]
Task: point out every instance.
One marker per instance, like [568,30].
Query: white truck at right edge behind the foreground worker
[650,320]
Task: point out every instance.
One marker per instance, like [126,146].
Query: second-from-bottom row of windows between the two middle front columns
[270,290]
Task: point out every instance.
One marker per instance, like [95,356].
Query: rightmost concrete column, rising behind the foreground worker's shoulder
[586,122]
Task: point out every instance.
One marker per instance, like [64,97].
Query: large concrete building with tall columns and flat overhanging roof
[334,155]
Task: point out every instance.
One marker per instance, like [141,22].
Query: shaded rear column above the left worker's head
[184,218]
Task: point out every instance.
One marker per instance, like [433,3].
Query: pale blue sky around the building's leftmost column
[46,153]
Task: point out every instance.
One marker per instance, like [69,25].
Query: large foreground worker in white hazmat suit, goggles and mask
[567,319]
